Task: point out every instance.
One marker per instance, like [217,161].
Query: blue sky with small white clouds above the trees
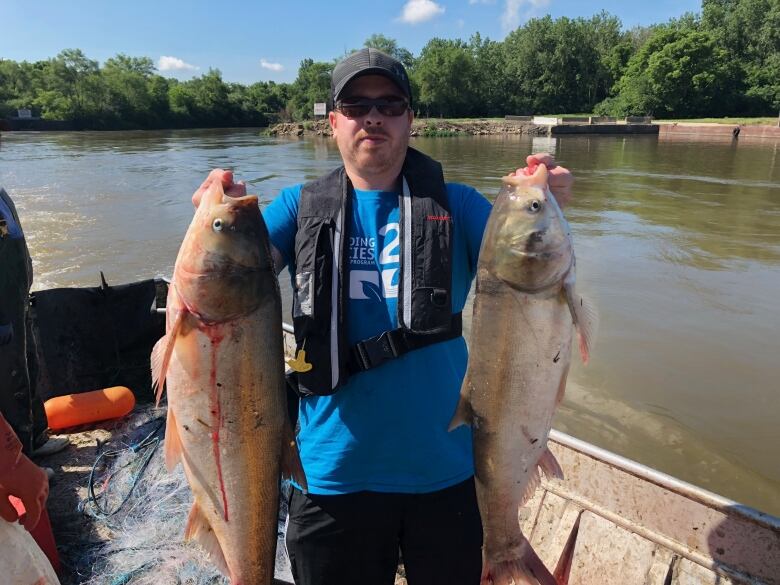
[260,41]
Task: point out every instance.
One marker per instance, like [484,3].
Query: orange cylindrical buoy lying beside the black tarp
[78,409]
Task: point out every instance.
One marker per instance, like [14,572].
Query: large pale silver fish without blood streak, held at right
[525,314]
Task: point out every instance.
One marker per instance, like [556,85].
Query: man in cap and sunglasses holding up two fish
[382,253]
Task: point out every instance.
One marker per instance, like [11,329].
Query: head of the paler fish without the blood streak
[528,241]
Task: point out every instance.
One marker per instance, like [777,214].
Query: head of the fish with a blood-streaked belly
[224,263]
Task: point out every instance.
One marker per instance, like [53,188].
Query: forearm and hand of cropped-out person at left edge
[20,477]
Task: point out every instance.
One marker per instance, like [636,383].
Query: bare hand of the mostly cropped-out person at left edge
[29,483]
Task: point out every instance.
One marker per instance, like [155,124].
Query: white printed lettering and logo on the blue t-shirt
[367,284]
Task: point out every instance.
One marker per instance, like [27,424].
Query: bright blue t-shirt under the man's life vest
[386,429]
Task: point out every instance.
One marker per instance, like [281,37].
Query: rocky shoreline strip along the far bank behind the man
[425,127]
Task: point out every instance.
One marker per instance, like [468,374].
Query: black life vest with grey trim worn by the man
[321,276]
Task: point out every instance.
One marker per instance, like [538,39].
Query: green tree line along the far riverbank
[723,61]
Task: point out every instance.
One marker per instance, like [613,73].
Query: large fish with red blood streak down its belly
[222,362]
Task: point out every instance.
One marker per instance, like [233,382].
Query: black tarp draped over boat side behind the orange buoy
[92,338]
